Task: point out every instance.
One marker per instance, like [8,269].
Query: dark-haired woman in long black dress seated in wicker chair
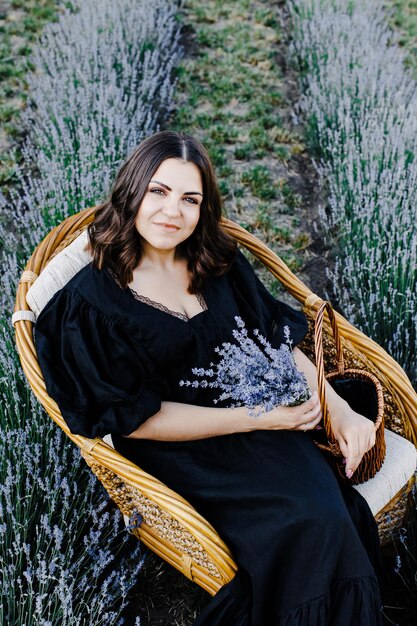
[162,291]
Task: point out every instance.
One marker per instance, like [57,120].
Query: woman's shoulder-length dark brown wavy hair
[114,240]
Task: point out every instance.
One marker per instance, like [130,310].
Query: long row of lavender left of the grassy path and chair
[102,80]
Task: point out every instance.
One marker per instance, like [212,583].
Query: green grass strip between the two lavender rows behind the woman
[230,93]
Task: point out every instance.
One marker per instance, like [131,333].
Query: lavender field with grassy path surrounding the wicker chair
[342,116]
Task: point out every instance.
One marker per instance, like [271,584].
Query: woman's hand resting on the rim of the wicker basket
[355,435]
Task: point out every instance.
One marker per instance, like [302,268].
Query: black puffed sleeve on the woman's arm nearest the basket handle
[262,310]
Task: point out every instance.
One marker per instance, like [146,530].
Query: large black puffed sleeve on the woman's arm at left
[92,369]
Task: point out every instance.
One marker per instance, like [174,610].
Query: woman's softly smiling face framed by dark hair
[170,208]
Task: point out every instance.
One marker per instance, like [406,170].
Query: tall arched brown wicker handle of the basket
[318,342]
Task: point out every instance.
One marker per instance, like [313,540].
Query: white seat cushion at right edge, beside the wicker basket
[398,467]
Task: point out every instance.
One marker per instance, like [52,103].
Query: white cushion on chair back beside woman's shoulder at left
[58,272]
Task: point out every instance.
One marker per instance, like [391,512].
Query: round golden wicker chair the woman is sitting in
[171,527]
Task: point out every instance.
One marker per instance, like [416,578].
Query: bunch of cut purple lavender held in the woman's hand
[254,374]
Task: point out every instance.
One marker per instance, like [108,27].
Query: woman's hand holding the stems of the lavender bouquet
[305,416]
